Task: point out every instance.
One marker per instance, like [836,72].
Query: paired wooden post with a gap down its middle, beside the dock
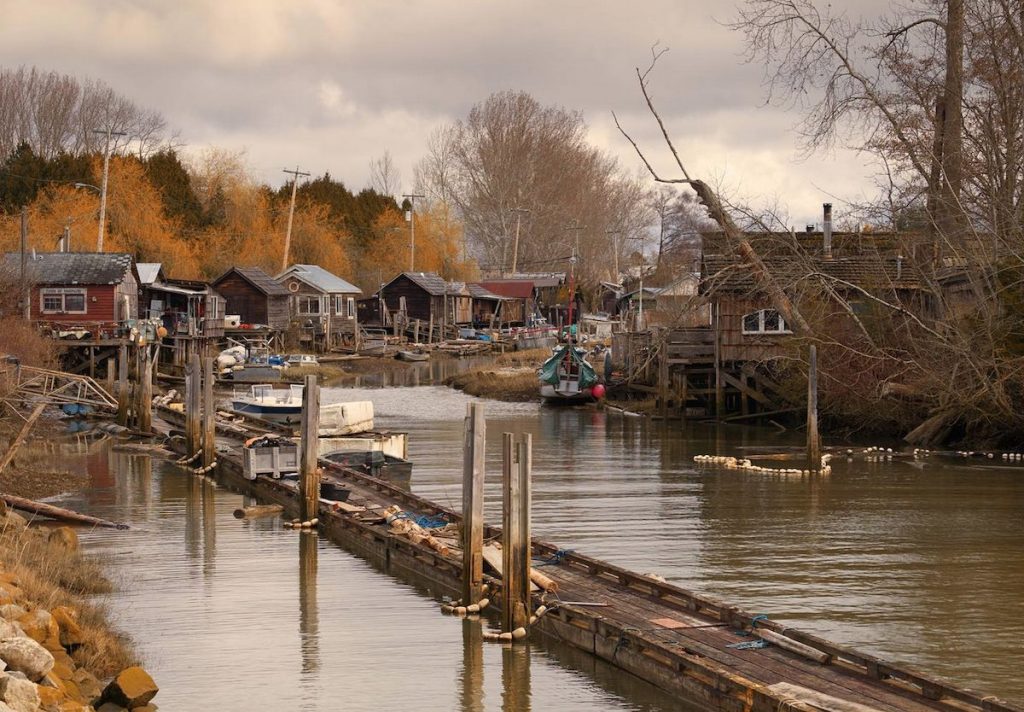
[516,533]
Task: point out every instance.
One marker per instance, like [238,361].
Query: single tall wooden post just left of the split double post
[473,505]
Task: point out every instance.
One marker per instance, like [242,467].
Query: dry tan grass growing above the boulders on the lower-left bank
[51,576]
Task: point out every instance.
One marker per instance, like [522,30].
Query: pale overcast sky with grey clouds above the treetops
[329,86]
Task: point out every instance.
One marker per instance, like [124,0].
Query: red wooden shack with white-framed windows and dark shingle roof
[75,291]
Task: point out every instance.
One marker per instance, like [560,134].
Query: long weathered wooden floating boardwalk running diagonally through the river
[681,642]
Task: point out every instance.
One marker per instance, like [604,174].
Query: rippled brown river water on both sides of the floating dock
[920,564]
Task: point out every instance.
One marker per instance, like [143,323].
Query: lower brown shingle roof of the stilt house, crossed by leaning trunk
[723,274]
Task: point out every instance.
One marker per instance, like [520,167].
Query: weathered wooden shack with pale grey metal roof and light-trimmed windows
[322,307]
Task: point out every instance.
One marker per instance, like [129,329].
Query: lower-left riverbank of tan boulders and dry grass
[57,643]
